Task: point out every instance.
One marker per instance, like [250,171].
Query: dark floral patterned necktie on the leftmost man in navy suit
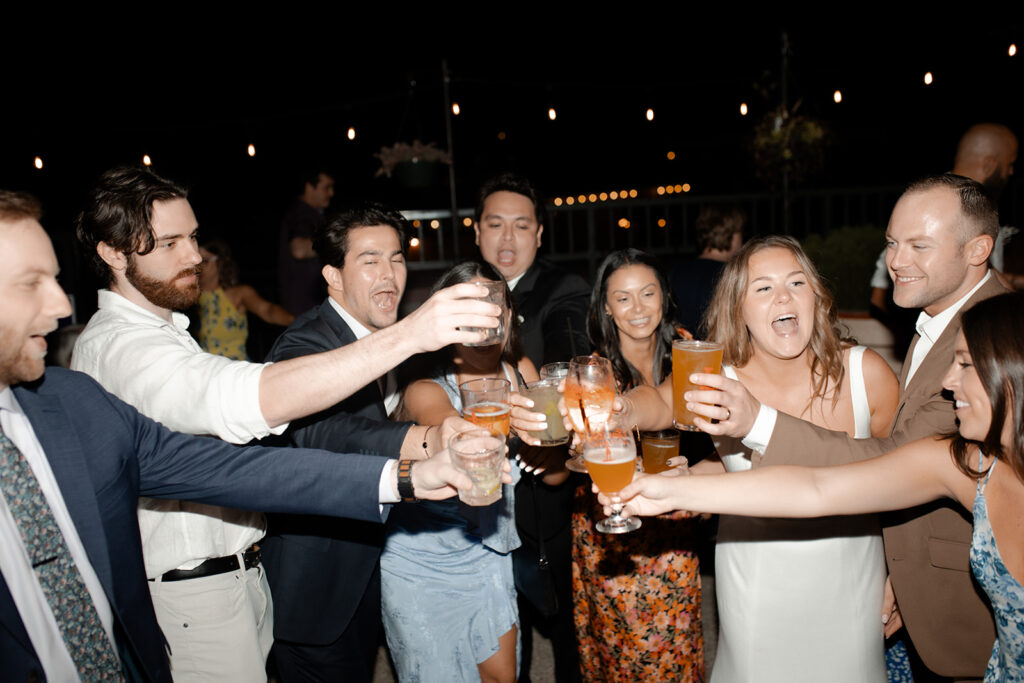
[59,576]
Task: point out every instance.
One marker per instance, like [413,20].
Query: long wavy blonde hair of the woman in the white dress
[726,323]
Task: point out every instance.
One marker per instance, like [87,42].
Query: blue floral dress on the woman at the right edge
[1005,593]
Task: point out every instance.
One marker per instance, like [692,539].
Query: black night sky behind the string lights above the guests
[194,96]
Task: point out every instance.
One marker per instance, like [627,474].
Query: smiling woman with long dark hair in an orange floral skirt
[637,595]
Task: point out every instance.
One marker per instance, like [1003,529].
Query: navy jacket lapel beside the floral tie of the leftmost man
[66,454]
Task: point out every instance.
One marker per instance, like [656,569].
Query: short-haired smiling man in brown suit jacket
[938,242]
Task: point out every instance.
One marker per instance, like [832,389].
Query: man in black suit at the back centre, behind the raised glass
[552,306]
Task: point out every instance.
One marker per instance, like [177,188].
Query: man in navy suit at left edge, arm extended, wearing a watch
[94,456]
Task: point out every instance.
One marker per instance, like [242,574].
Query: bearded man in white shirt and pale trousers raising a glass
[203,563]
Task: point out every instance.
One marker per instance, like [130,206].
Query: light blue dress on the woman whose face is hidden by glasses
[448,591]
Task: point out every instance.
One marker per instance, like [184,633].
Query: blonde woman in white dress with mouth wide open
[799,601]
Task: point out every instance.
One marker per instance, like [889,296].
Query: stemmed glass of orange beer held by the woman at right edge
[612,461]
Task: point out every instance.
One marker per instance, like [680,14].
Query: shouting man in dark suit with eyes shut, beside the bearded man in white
[324,573]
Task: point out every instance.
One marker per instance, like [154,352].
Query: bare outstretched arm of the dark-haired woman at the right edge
[917,474]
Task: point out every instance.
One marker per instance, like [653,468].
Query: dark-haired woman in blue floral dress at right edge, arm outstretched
[987,379]
